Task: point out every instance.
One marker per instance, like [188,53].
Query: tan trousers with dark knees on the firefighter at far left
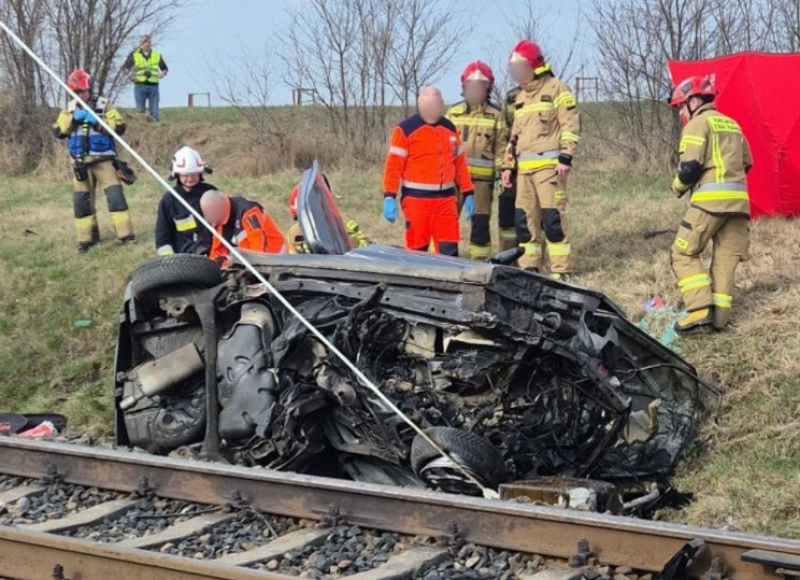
[101,176]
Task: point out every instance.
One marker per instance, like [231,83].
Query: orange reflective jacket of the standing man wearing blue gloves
[426,160]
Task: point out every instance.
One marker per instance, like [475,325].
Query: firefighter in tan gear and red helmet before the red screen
[714,159]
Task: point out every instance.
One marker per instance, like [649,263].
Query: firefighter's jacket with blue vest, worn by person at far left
[85,141]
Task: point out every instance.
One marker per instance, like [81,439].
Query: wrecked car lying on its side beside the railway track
[515,375]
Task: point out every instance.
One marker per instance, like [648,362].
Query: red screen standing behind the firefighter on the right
[762,93]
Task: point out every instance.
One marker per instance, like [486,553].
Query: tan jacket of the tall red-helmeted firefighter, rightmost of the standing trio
[546,126]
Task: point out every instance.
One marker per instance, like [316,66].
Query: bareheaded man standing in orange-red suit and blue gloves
[426,163]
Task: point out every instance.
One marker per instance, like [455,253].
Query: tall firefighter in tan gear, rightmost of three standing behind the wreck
[541,148]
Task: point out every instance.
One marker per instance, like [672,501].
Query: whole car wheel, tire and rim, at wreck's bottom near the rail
[473,453]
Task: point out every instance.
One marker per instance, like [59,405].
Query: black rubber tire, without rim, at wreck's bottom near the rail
[472,451]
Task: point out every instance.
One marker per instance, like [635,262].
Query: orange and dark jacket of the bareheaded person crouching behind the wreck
[249,227]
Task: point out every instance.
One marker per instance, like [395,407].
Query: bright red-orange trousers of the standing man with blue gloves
[431,219]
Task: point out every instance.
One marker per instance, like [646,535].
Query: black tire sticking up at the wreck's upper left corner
[181,269]
